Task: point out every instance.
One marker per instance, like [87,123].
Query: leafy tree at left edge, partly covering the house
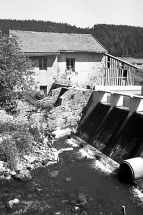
[16,73]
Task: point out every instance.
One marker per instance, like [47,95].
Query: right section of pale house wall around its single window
[89,69]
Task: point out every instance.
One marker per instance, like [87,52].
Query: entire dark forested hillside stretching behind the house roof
[119,40]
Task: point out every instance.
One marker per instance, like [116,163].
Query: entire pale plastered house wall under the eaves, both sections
[89,70]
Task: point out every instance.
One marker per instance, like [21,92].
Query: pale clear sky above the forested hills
[81,13]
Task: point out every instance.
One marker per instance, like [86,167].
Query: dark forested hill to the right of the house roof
[121,40]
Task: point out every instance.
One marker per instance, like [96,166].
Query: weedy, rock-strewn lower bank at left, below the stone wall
[23,147]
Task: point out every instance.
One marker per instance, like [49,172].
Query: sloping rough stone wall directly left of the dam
[69,113]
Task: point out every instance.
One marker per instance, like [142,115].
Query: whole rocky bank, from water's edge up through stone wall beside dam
[23,145]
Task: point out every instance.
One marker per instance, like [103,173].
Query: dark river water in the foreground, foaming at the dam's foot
[77,184]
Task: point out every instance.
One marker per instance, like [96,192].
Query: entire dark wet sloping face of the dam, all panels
[114,132]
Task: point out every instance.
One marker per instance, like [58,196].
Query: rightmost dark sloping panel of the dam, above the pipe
[129,141]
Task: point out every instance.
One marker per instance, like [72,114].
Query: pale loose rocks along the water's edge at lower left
[42,156]
